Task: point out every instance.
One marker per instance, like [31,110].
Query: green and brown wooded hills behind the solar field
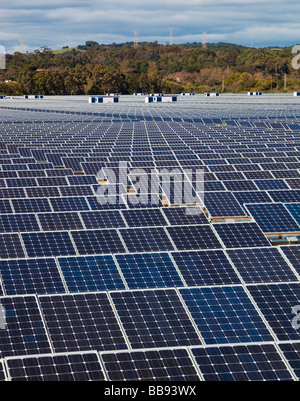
[96,69]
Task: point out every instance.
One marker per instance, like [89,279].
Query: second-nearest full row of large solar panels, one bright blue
[143,319]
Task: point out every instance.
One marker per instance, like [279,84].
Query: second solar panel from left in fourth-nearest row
[45,244]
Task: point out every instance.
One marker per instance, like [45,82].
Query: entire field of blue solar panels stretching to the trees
[185,267]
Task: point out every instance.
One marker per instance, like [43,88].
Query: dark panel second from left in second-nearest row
[82,322]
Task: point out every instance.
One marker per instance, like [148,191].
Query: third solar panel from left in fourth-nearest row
[93,242]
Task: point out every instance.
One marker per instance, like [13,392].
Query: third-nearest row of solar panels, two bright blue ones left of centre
[149,270]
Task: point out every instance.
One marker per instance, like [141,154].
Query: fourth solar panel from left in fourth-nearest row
[152,239]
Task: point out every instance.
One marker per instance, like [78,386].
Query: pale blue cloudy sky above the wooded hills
[58,23]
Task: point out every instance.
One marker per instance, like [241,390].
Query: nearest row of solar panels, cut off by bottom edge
[257,362]
